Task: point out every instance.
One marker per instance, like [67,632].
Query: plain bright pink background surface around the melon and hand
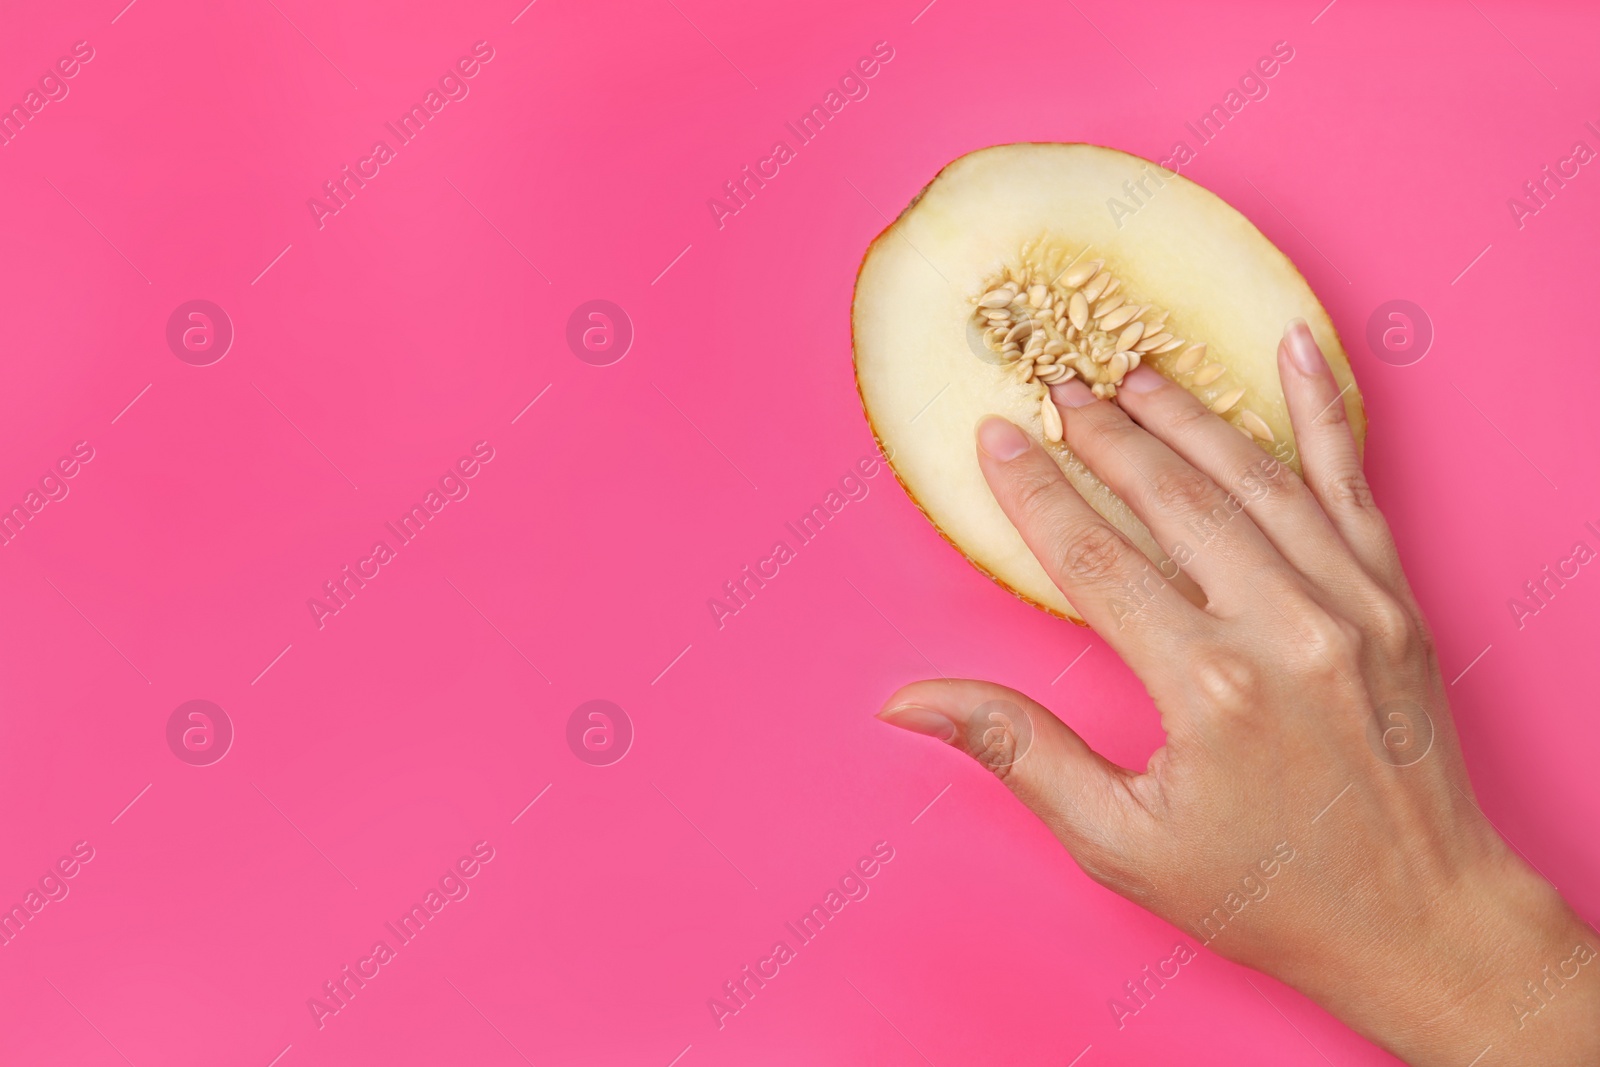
[433,310]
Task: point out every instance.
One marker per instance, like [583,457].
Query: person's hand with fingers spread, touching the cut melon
[1310,815]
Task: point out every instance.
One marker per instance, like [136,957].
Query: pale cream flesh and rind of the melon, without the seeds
[1185,250]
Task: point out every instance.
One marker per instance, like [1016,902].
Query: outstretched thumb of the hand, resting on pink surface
[1079,794]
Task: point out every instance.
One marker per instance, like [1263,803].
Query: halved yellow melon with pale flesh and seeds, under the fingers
[1033,263]
